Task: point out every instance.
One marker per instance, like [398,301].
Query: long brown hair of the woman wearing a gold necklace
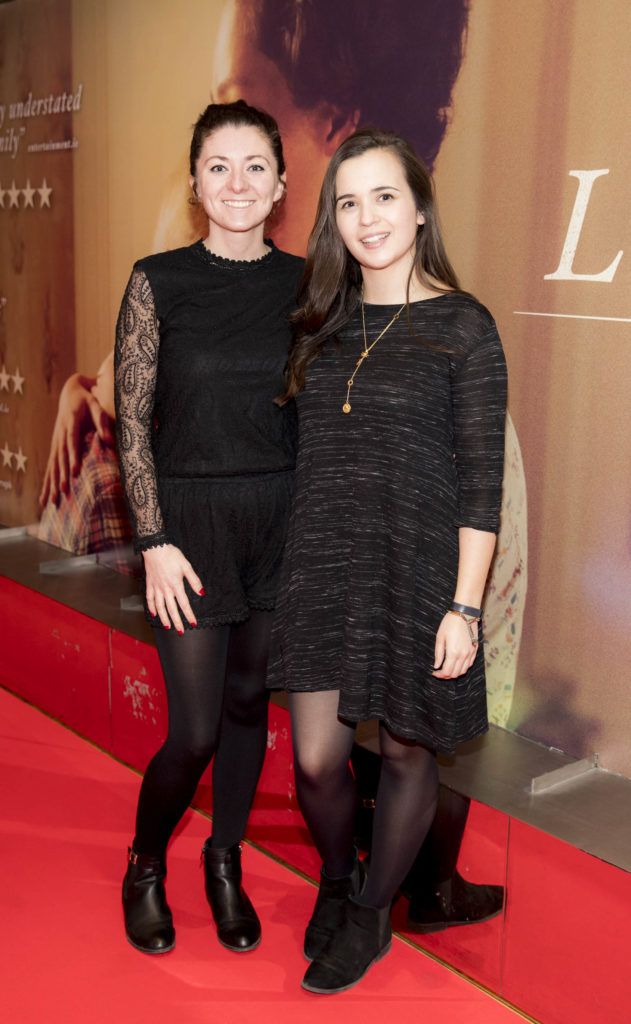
[331,287]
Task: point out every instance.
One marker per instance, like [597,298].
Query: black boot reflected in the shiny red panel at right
[453,904]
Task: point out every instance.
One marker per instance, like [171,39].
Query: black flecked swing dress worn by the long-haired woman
[372,554]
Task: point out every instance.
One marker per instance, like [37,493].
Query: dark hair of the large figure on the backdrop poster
[389,64]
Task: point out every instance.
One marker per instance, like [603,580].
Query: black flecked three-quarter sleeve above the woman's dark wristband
[479,397]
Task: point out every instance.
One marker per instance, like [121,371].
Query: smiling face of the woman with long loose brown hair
[376,214]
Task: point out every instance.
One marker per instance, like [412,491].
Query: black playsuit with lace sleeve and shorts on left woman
[206,457]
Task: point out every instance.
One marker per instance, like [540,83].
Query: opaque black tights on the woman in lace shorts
[216,685]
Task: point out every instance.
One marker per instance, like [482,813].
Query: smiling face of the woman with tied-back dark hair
[237,180]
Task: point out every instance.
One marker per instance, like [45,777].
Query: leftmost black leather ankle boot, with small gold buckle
[149,924]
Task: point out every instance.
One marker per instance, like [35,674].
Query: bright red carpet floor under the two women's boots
[67,817]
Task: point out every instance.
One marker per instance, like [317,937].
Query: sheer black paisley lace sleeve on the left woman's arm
[138,343]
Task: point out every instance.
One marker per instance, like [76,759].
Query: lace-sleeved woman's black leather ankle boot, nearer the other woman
[238,925]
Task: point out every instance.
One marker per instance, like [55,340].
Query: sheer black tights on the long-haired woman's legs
[406,798]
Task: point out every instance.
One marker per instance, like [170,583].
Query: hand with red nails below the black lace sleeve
[166,571]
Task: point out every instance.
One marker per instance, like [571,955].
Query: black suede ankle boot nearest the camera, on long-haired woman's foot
[364,937]
